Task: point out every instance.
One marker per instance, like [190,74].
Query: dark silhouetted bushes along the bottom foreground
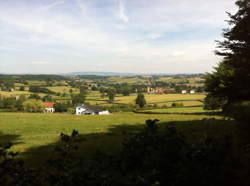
[152,157]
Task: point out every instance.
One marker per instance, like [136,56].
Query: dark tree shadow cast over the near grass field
[110,142]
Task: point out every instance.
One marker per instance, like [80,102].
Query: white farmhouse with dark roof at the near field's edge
[82,109]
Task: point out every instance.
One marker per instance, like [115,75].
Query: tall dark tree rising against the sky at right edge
[230,81]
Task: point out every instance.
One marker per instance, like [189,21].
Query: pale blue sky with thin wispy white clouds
[138,36]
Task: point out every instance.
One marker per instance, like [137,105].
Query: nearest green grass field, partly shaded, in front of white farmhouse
[40,131]
